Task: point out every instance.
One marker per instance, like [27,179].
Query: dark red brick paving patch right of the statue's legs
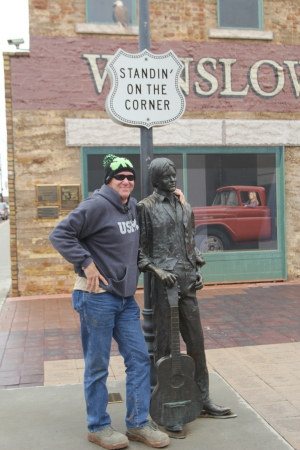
[251,316]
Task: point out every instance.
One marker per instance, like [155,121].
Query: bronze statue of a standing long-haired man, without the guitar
[167,249]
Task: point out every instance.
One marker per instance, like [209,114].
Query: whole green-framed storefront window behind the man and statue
[237,195]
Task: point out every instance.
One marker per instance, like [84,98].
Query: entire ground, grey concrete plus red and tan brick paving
[252,340]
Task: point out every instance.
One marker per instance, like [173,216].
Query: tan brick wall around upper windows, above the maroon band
[170,20]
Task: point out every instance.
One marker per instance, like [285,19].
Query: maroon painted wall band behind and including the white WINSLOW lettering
[64,74]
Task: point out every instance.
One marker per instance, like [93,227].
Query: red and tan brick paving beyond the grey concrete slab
[252,337]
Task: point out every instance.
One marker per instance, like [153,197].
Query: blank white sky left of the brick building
[13,25]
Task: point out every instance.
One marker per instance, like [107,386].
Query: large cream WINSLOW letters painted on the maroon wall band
[266,77]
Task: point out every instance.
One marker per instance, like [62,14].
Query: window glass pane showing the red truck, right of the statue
[234,201]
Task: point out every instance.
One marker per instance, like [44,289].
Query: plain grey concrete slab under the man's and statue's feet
[48,418]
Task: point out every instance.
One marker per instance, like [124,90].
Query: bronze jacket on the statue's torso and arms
[158,243]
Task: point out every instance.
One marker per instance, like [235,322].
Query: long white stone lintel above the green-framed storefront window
[186,132]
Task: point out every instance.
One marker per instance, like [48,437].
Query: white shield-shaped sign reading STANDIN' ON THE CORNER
[145,89]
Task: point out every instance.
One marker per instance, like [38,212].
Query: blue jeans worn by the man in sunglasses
[103,317]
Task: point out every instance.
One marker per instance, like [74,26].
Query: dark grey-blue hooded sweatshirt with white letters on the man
[104,230]
